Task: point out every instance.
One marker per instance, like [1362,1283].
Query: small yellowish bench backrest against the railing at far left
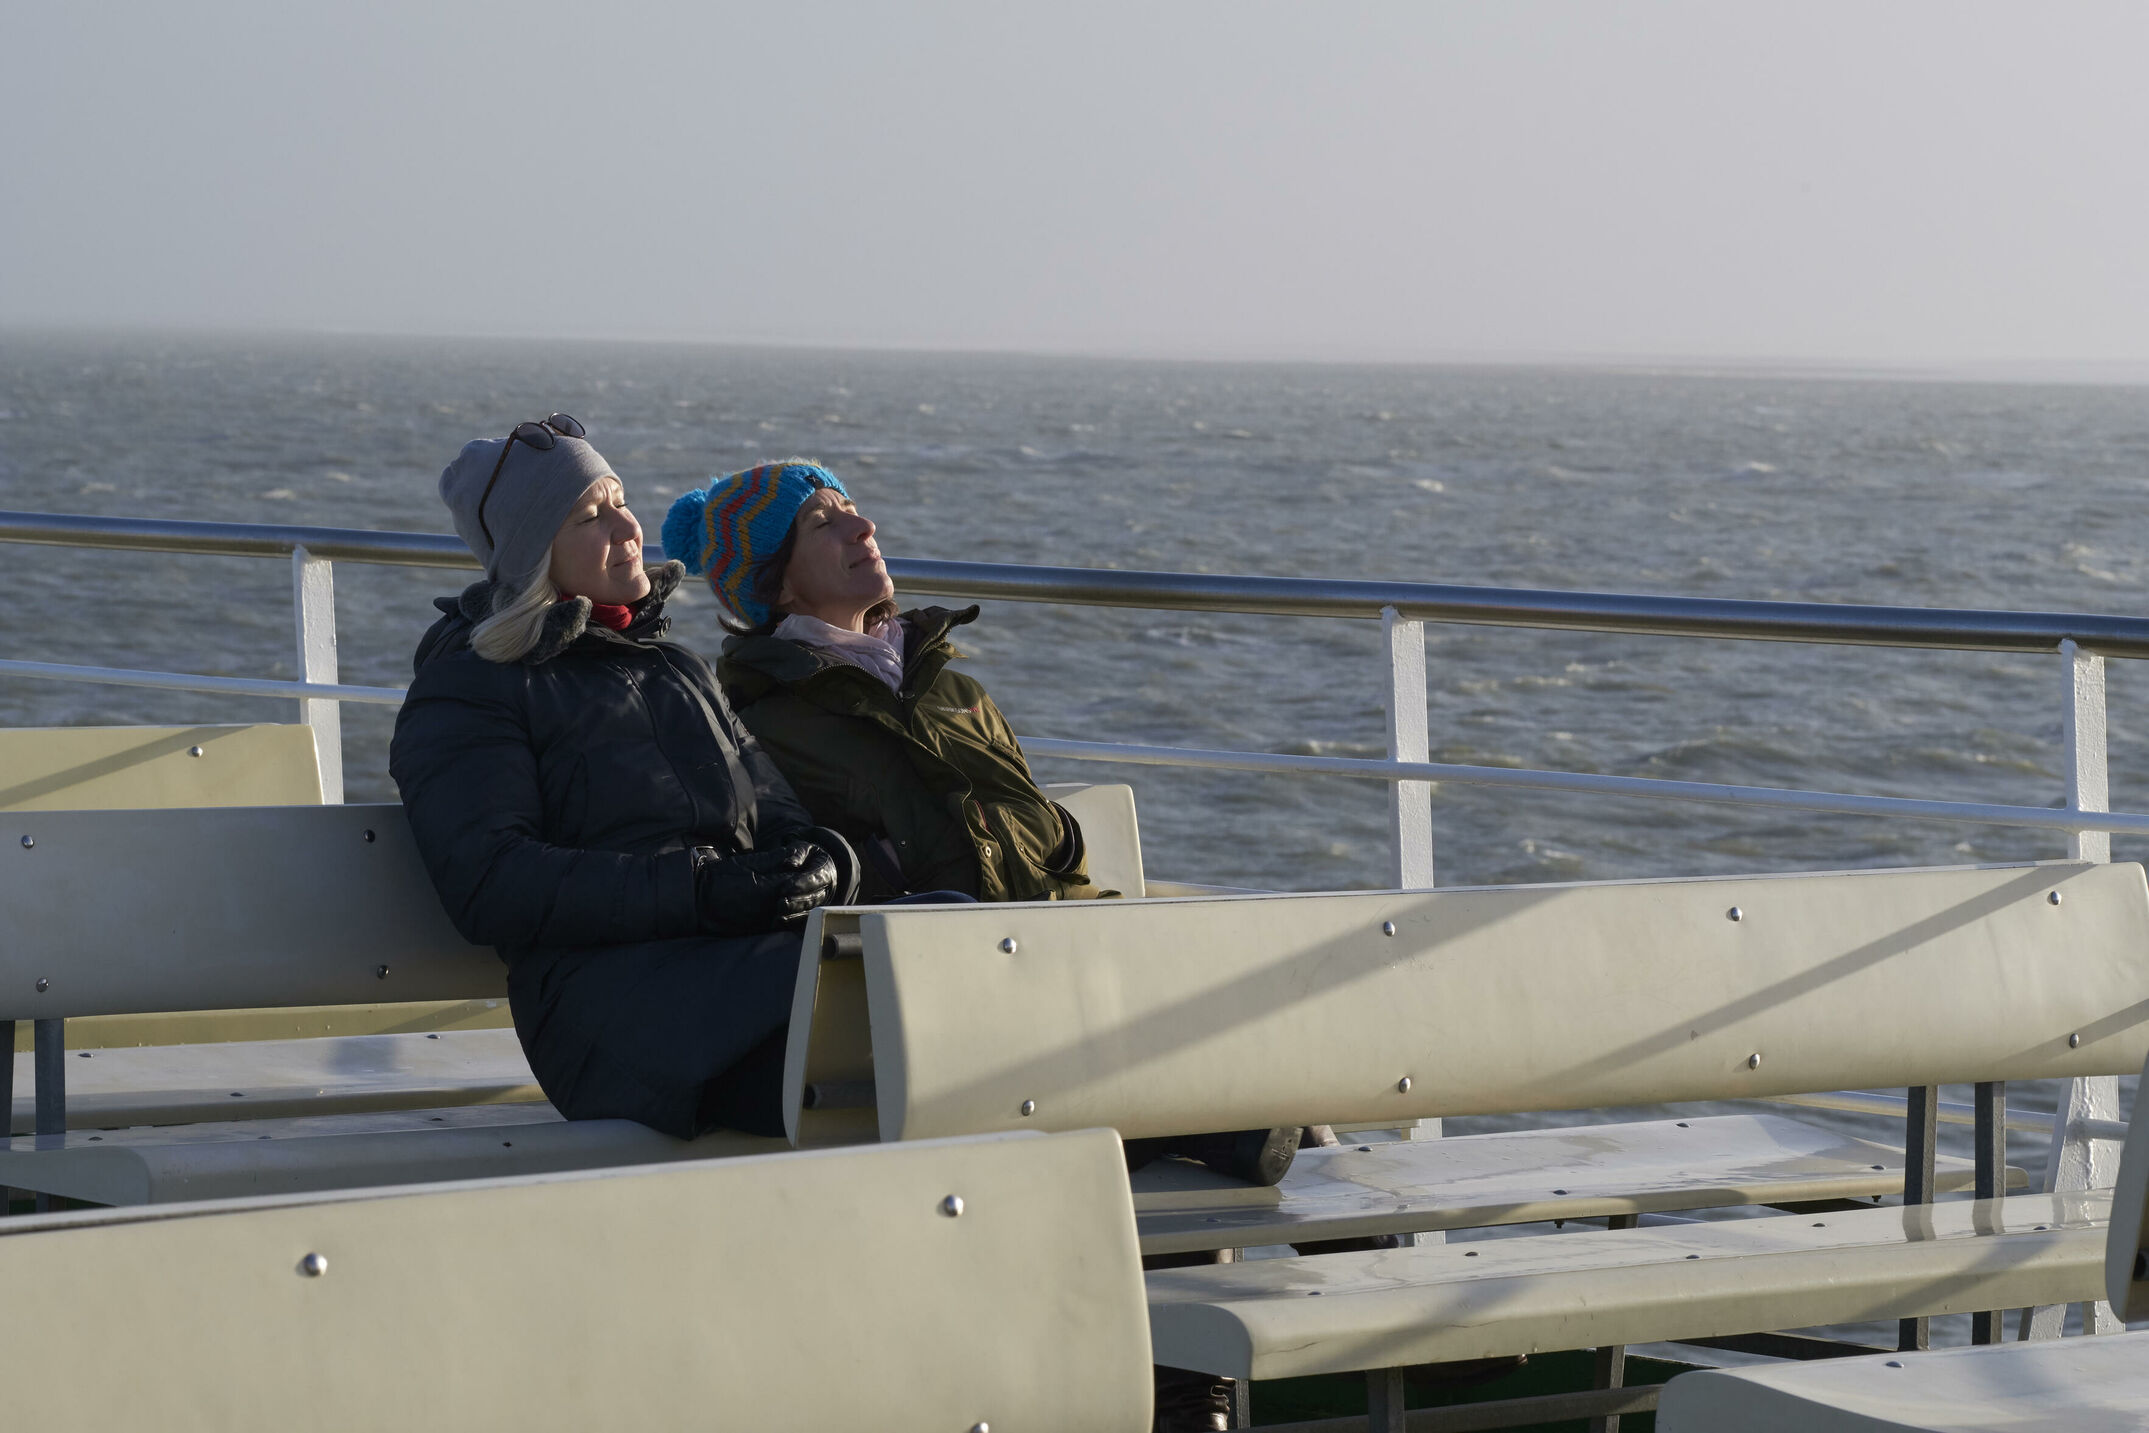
[124,768]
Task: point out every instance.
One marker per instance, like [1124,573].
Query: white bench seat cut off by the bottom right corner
[2053,1387]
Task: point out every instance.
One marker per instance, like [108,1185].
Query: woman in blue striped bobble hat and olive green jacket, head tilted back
[859,704]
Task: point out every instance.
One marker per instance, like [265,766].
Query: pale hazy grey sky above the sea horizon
[1348,182]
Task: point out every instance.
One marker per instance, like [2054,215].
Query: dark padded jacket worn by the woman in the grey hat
[558,798]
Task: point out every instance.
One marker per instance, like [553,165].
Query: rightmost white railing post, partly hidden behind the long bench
[2079,1161]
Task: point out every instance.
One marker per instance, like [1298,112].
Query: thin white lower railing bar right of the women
[2036,817]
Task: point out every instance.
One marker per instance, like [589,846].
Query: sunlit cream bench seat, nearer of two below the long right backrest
[1331,1314]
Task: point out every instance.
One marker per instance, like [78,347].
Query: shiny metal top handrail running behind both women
[1187,592]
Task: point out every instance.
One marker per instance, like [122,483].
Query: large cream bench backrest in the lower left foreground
[773,1292]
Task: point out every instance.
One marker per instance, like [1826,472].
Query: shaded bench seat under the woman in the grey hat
[285,1157]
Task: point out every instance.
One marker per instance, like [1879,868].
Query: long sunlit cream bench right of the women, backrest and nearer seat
[1389,1007]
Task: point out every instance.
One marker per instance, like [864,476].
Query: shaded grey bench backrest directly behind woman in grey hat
[214,910]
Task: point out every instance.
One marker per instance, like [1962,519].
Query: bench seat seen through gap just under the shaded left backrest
[190,1084]
